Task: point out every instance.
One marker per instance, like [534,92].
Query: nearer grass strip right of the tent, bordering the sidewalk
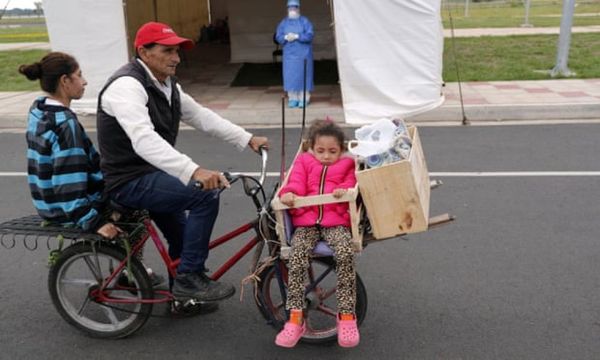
[519,57]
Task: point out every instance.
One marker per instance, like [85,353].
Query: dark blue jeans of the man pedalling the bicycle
[167,199]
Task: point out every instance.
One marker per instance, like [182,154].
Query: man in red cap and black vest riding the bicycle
[139,110]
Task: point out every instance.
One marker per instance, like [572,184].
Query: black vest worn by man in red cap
[119,163]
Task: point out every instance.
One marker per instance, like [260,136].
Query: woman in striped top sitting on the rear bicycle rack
[63,166]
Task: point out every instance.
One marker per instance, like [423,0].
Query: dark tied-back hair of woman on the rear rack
[50,69]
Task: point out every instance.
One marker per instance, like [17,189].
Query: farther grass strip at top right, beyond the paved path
[542,13]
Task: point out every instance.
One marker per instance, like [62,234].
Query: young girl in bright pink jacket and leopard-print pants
[323,169]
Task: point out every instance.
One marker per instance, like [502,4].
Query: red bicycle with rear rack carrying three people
[101,288]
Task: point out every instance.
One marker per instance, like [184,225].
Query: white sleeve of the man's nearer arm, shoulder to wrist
[126,99]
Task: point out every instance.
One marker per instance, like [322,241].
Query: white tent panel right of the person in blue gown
[389,57]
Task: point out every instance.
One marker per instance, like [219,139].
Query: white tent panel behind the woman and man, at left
[93,31]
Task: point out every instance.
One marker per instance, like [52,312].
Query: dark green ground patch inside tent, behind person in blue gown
[270,74]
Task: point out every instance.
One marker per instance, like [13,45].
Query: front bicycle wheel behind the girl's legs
[321,311]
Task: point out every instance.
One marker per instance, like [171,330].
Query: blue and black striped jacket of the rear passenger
[63,167]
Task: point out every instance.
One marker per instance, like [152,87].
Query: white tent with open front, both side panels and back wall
[389,52]
